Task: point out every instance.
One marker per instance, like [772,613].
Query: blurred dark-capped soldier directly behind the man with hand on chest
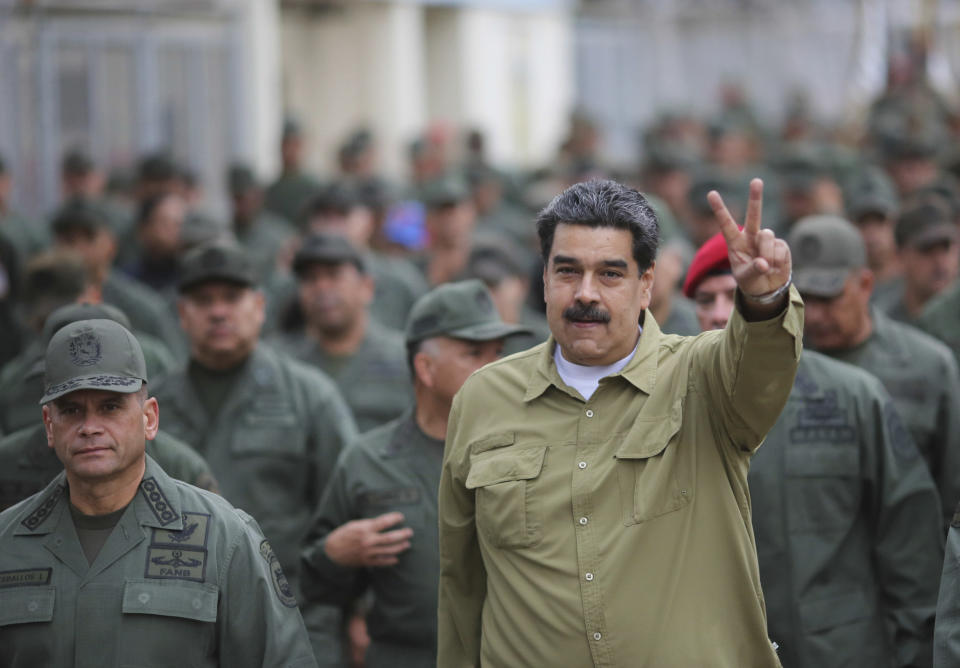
[365,359]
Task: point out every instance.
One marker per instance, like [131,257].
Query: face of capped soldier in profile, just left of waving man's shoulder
[445,363]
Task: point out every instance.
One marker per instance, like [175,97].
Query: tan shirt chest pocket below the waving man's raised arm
[654,474]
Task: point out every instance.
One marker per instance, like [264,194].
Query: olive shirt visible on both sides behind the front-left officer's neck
[28,464]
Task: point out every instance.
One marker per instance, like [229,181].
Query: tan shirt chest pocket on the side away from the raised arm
[505,481]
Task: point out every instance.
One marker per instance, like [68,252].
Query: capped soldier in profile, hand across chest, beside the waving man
[389,477]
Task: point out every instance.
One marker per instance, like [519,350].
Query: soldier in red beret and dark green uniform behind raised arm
[847,519]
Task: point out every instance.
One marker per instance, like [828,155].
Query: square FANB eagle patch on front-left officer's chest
[180,554]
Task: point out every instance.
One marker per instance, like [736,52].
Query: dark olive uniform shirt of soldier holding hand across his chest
[393,468]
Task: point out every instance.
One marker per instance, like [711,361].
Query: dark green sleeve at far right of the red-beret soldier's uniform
[904,508]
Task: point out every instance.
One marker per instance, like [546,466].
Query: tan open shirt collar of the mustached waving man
[641,371]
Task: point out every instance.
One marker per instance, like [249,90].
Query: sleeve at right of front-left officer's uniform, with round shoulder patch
[258,622]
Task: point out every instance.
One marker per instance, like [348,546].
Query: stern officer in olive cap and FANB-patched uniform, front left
[115,563]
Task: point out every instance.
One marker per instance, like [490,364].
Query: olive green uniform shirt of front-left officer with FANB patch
[184,579]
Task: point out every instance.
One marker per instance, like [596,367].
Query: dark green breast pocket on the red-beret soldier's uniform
[823,487]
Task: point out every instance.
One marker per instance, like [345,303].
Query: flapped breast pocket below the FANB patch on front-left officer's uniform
[167,623]
